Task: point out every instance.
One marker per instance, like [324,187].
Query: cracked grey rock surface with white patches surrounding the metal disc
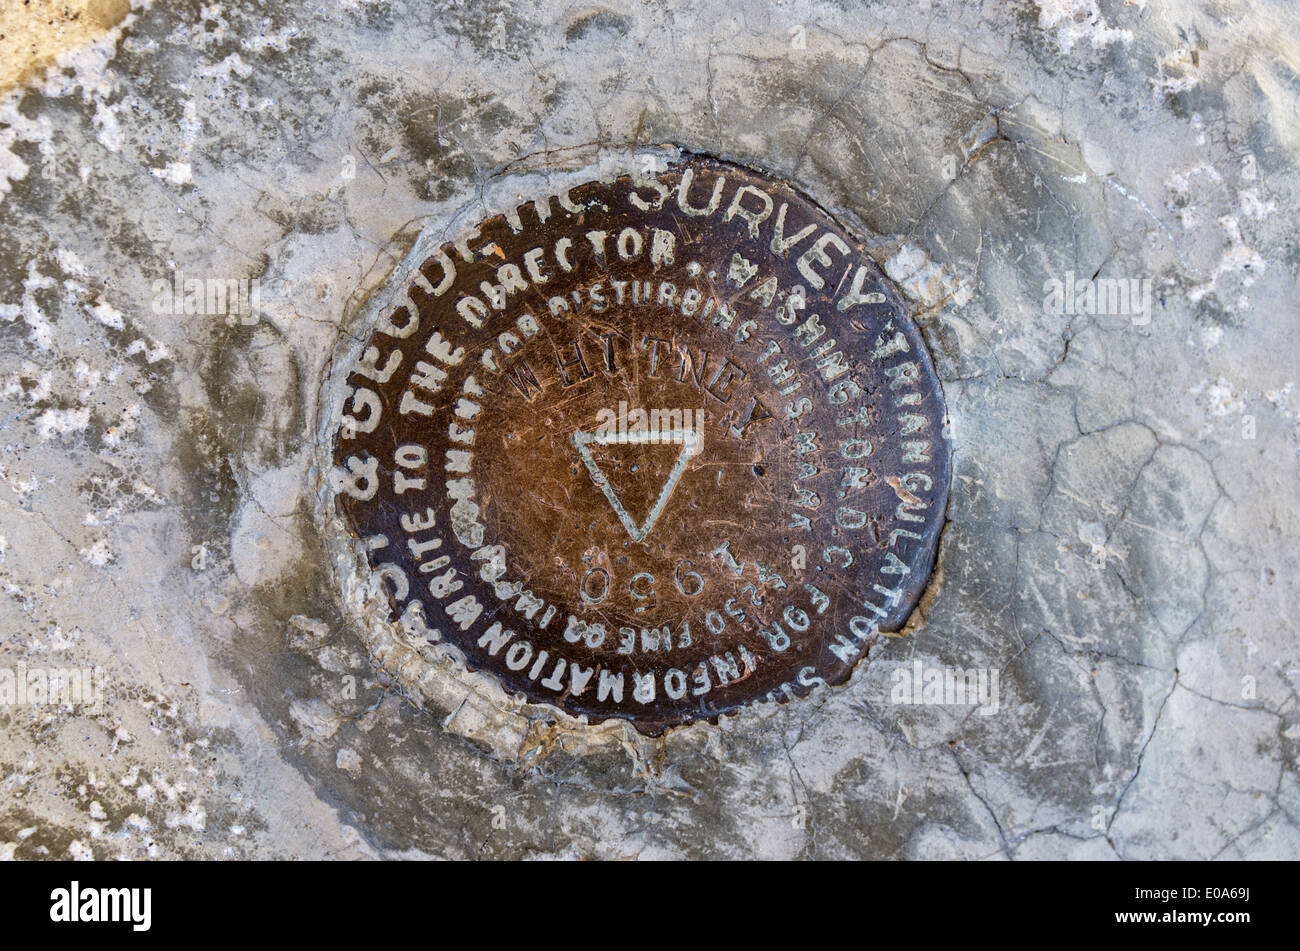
[1124,522]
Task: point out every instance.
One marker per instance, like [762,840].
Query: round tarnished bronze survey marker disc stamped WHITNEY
[652,450]
